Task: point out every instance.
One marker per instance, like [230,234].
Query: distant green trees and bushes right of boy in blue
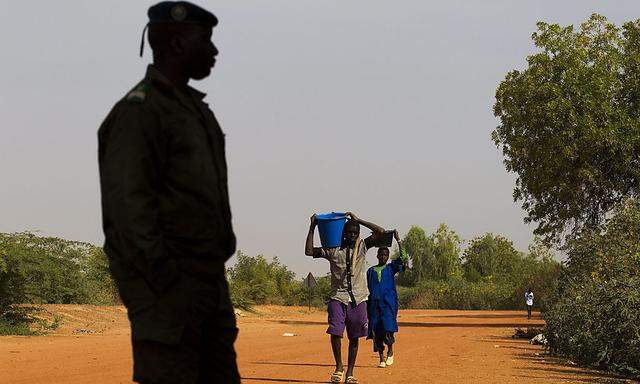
[495,274]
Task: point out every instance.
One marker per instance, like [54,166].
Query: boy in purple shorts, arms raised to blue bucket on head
[348,305]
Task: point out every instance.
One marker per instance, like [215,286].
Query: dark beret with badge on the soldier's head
[180,12]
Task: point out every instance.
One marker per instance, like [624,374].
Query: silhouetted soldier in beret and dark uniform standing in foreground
[165,204]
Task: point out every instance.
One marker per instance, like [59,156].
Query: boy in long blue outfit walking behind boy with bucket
[383,301]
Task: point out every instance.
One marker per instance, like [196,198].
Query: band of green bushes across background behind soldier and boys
[489,274]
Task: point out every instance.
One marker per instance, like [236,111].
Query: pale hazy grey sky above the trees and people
[379,107]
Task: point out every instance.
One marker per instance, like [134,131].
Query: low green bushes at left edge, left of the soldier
[40,270]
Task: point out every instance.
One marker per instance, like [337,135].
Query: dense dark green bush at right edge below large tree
[596,319]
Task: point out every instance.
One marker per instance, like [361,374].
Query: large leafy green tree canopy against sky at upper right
[570,124]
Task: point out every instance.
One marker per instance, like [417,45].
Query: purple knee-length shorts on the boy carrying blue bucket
[343,316]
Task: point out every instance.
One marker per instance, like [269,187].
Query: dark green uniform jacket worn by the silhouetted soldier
[165,201]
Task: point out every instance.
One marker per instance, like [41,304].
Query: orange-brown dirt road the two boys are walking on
[92,346]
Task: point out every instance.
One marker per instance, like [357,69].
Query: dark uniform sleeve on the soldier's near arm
[131,155]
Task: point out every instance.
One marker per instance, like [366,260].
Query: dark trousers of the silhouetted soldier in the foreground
[183,335]
